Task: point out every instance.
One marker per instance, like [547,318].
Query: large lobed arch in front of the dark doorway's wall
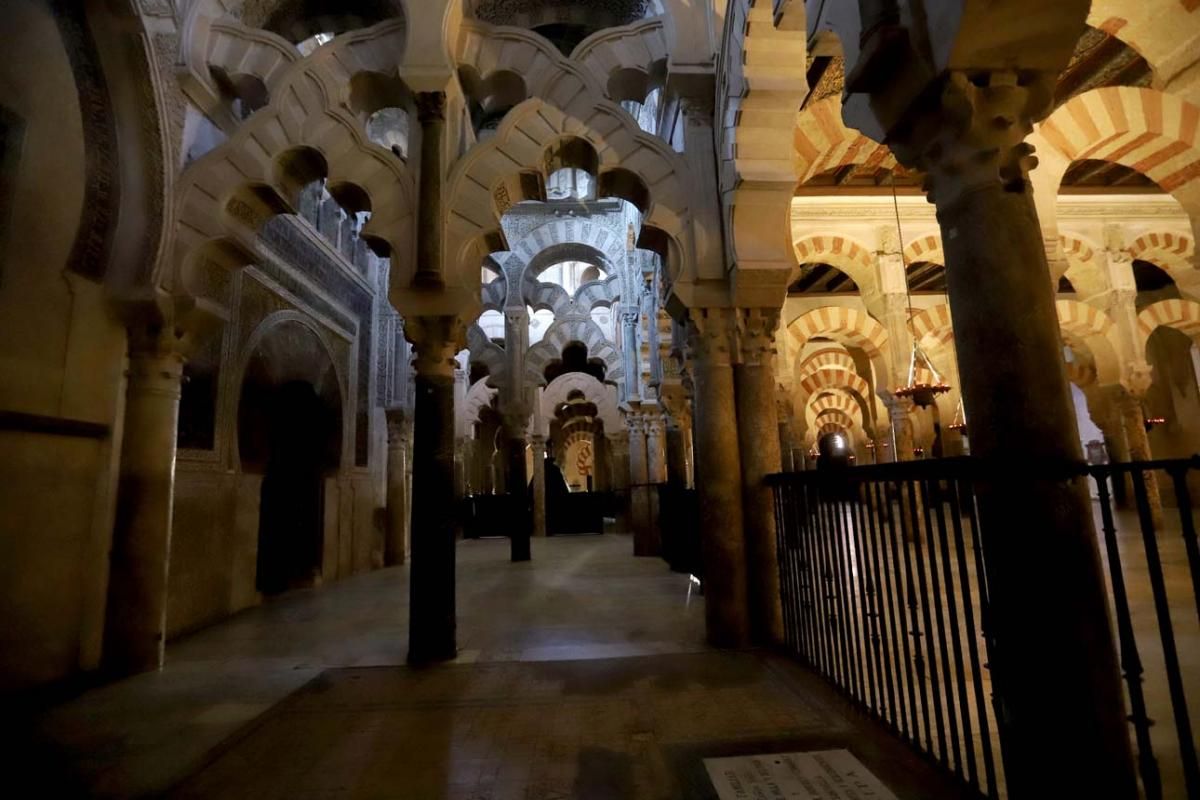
[305,134]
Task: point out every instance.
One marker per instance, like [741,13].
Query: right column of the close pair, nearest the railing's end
[759,441]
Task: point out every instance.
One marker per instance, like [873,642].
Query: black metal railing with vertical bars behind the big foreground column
[885,593]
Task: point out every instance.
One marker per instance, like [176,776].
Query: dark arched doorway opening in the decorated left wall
[290,431]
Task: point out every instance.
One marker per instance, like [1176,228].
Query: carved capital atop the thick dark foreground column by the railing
[974,135]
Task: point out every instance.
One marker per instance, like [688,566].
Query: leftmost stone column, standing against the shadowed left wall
[136,615]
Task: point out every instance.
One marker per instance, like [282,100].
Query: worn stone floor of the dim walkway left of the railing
[583,675]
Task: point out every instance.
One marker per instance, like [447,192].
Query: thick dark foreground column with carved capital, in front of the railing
[1054,666]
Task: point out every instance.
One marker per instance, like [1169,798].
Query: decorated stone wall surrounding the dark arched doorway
[214,558]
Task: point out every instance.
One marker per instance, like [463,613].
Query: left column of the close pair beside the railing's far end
[719,477]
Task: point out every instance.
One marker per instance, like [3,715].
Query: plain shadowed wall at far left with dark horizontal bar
[62,364]
